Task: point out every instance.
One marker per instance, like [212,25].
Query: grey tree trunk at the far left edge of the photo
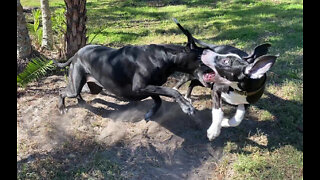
[24,48]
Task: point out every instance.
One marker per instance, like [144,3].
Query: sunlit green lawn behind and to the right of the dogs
[244,24]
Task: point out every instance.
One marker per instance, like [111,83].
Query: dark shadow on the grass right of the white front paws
[285,128]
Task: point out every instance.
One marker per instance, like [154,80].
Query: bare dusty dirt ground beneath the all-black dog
[170,146]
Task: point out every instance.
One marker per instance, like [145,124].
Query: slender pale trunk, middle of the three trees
[47,38]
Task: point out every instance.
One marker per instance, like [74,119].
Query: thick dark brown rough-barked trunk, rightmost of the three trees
[76,26]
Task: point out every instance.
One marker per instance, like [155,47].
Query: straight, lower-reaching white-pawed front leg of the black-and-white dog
[217,115]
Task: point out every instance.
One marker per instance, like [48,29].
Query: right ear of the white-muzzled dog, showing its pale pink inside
[260,66]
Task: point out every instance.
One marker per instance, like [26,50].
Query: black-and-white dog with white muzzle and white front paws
[237,78]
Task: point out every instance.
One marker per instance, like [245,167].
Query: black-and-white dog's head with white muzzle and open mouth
[230,69]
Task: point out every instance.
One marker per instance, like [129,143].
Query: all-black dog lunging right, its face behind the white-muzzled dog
[131,72]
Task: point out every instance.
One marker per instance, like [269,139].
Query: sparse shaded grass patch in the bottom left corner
[96,167]
